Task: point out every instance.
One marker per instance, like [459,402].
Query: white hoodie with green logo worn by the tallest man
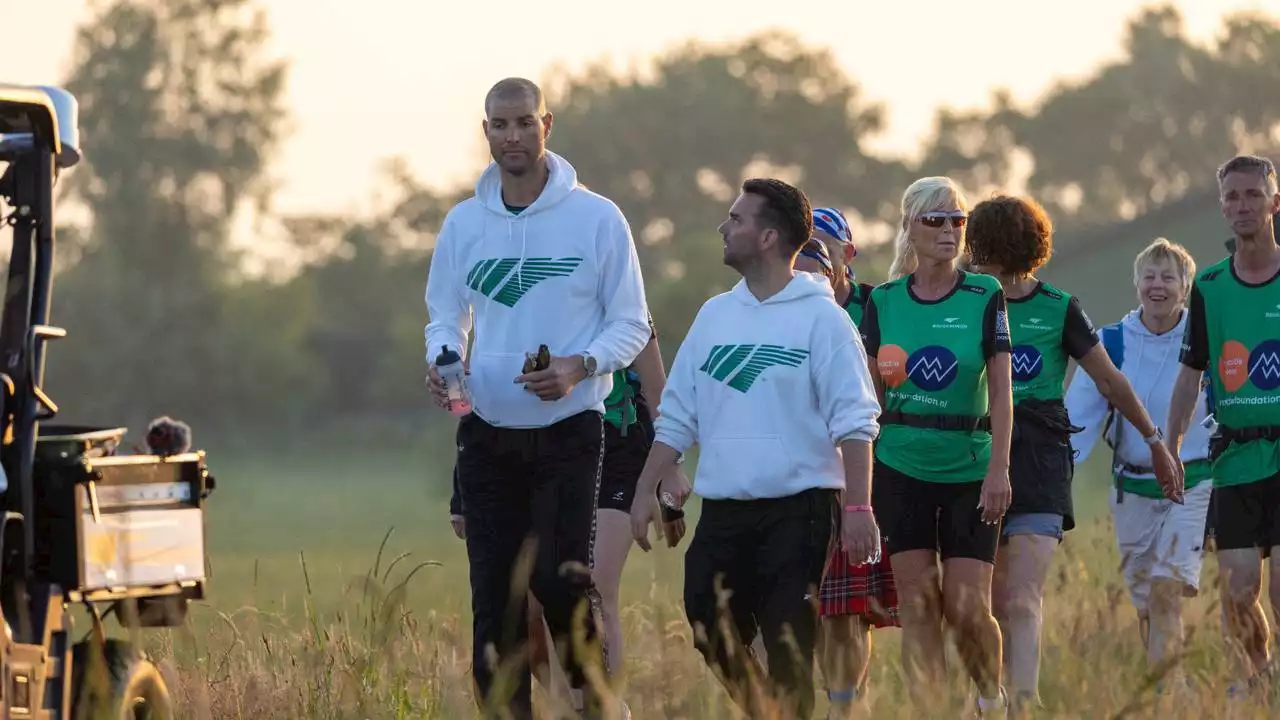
[563,274]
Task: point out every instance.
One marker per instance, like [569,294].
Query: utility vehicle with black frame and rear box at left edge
[84,523]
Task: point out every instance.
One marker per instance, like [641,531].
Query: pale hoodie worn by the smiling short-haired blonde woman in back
[1151,366]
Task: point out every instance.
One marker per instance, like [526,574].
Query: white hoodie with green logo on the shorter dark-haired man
[769,390]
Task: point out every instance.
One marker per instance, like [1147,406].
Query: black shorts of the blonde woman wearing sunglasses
[940,517]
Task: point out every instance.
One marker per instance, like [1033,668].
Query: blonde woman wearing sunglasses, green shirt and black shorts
[940,349]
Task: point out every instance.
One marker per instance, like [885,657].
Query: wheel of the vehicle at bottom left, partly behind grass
[127,687]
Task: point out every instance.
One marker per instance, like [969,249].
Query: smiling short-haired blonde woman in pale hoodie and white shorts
[1162,543]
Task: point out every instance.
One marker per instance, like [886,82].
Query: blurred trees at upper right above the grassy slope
[1140,133]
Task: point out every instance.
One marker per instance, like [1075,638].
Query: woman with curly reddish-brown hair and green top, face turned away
[1012,239]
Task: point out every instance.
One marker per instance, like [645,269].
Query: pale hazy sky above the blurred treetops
[429,63]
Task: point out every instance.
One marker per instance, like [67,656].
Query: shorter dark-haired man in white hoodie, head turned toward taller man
[772,384]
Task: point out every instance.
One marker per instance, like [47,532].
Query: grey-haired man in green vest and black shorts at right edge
[1233,332]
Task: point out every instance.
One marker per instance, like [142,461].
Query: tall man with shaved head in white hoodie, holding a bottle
[537,259]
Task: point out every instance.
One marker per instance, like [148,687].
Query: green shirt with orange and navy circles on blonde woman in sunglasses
[932,358]
